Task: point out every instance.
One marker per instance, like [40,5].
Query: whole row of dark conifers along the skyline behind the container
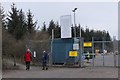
[18,25]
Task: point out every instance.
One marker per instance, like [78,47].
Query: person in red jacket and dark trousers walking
[28,59]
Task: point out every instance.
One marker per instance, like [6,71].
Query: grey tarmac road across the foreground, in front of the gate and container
[89,72]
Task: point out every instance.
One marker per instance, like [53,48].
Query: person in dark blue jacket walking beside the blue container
[45,58]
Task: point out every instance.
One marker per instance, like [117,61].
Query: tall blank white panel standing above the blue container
[66,23]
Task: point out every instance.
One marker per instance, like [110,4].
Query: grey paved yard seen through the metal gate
[109,60]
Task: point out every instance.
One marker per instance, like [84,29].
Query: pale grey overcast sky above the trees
[94,15]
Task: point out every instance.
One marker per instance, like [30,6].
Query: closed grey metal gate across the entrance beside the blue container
[104,58]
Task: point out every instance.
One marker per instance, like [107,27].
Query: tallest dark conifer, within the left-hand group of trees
[16,23]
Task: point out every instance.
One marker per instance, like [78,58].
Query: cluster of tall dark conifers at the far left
[17,24]
